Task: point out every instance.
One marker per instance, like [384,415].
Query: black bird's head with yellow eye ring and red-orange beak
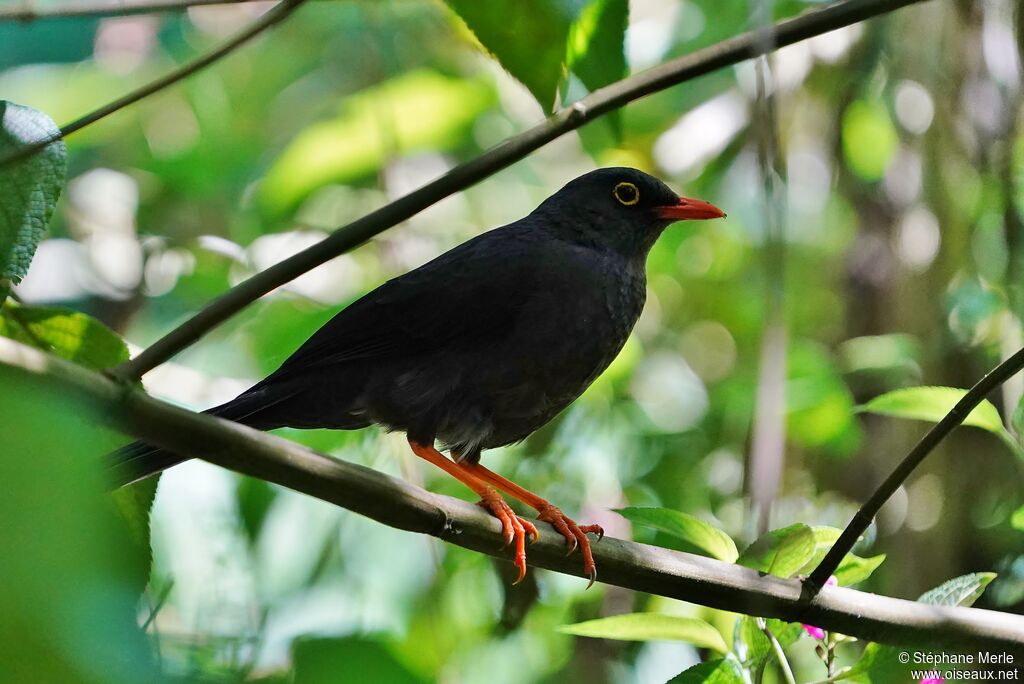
[621,208]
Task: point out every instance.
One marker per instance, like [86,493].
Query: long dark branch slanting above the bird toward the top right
[726,54]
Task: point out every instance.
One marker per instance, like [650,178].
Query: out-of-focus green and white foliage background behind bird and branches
[901,190]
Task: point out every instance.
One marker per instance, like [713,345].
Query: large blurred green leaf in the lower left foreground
[69,591]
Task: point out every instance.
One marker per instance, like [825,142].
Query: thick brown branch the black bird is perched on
[401,505]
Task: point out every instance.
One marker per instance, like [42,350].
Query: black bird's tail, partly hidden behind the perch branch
[139,460]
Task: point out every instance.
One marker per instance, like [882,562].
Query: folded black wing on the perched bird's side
[464,297]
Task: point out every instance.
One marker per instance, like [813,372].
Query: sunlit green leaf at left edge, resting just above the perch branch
[64,332]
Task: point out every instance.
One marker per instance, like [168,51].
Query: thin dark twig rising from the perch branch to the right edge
[864,518]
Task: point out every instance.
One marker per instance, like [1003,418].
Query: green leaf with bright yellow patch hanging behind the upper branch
[595,50]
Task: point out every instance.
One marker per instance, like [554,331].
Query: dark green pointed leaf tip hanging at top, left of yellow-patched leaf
[528,37]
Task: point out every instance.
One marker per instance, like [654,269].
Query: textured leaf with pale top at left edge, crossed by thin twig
[31,186]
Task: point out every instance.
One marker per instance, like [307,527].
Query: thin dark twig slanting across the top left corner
[275,16]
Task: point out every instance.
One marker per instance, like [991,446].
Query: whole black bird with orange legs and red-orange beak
[480,348]
